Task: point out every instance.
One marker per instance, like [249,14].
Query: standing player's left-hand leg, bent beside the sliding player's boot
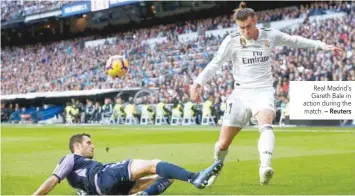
[221,148]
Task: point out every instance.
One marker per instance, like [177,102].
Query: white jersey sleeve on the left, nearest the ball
[223,55]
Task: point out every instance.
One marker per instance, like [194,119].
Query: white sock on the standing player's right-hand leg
[266,144]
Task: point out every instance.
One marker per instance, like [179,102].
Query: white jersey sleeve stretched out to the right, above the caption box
[282,39]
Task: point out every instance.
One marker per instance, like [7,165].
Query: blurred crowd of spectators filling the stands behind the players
[172,66]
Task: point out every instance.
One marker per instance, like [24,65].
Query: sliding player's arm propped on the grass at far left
[64,167]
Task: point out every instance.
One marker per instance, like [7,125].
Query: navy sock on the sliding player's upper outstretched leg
[171,171]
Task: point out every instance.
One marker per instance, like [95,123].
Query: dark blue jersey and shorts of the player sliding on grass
[89,177]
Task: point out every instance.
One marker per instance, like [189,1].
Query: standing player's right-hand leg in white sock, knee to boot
[266,145]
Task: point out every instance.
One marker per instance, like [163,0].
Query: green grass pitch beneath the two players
[306,160]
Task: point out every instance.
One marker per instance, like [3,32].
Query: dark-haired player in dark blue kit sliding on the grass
[133,176]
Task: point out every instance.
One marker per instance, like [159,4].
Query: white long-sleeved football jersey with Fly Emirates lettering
[252,59]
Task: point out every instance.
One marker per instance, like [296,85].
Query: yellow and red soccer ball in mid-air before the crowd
[117,66]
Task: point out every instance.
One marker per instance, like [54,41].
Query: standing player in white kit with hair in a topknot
[250,50]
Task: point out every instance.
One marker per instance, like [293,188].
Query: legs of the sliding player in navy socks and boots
[168,172]
